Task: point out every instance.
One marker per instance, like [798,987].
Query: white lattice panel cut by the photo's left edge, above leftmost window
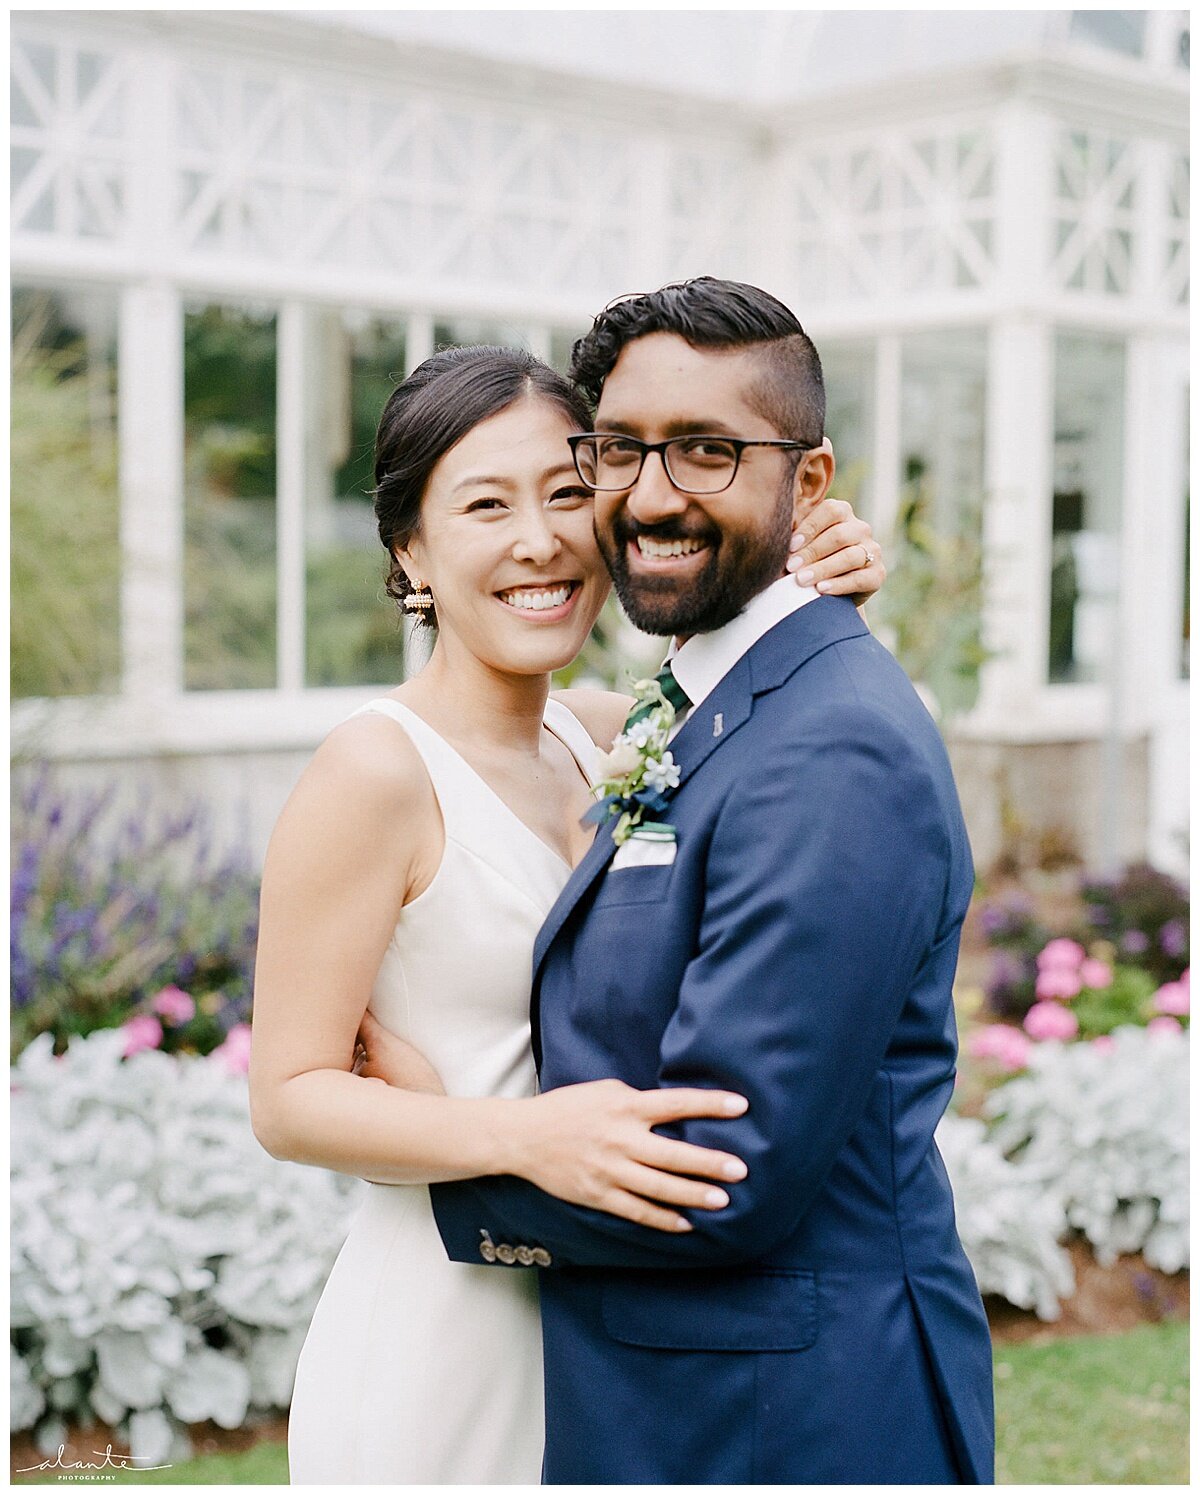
[69,141]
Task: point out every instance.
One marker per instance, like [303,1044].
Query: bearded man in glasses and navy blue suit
[826,1327]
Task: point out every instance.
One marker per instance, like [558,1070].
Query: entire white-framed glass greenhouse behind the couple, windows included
[234,231]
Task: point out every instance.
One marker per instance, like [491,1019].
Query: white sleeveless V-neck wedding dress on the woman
[419,1370]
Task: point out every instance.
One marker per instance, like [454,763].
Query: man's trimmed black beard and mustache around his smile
[736,569]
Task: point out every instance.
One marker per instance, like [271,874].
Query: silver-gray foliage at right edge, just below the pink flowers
[1108,1132]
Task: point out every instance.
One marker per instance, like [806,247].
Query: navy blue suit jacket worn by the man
[826,1327]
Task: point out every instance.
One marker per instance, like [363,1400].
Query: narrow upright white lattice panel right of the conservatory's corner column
[1095,213]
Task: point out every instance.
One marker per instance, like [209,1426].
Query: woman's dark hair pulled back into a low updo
[436,407]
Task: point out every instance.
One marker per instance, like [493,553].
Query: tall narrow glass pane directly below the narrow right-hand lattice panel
[1089,449]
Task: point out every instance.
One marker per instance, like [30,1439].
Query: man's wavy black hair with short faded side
[718,315]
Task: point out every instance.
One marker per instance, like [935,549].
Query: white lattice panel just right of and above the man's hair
[894,216]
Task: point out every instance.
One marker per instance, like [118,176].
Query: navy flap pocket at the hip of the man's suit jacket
[687,1310]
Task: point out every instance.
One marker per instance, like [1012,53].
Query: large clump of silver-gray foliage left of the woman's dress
[165,1267]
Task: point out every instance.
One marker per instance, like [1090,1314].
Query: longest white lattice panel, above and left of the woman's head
[410,185]
